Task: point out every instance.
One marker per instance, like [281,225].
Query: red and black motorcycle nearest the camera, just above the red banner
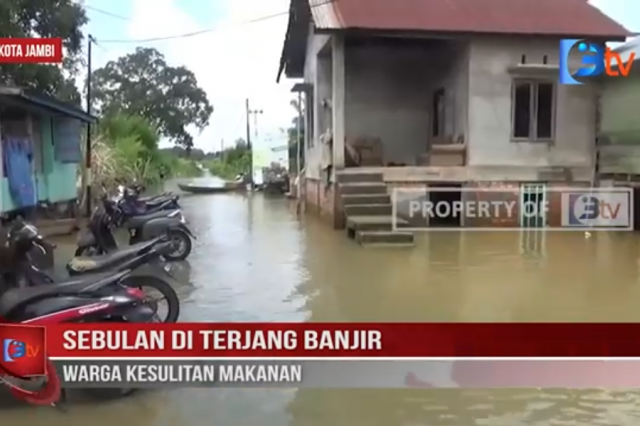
[114,296]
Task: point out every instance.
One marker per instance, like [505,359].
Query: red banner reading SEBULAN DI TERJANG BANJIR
[374,340]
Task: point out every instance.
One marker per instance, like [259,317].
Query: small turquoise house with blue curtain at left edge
[40,148]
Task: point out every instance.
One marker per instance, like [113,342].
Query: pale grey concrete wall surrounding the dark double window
[490,108]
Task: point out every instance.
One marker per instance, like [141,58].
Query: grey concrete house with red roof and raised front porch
[432,93]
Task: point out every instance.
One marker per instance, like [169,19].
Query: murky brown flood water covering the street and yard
[254,260]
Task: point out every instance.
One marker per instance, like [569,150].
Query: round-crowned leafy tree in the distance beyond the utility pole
[142,83]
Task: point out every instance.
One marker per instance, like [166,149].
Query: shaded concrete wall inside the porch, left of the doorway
[389,93]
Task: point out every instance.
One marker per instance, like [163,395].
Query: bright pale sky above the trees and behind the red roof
[236,61]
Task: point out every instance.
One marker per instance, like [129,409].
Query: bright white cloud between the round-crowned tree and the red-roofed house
[233,63]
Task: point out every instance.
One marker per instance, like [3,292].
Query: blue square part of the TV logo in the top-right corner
[592,60]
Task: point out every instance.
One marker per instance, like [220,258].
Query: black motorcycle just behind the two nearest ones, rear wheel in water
[98,237]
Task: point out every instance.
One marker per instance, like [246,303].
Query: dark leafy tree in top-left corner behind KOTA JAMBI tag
[40,18]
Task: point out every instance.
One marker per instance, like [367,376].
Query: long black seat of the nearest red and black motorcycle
[14,298]
